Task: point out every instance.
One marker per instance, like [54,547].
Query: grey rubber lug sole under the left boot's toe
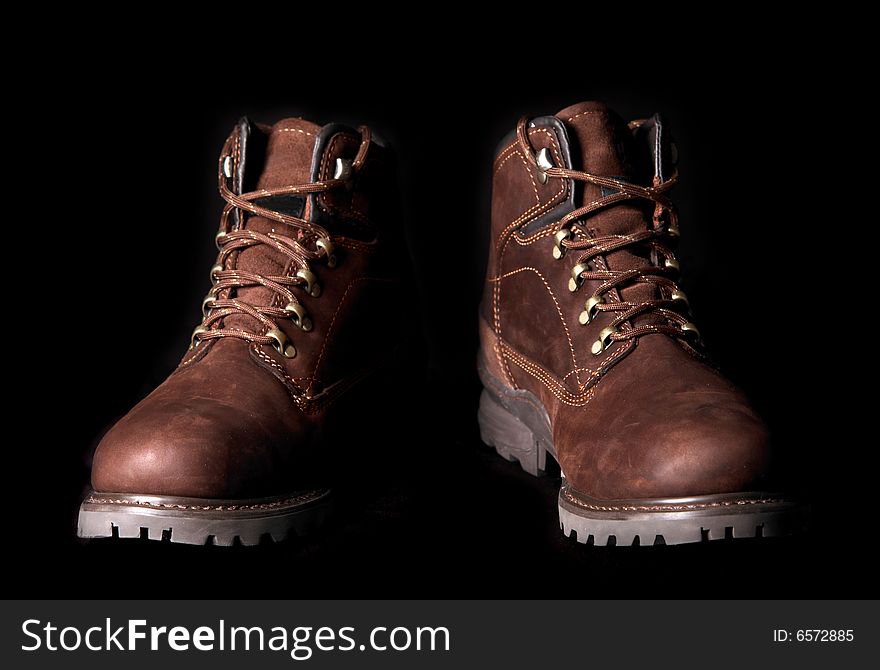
[201,521]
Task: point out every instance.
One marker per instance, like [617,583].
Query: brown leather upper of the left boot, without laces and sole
[238,419]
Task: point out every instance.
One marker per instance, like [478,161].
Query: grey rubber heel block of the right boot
[510,437]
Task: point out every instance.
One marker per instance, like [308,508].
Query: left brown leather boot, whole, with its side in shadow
[236,442]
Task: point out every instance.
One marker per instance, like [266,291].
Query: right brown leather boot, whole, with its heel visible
[588,352]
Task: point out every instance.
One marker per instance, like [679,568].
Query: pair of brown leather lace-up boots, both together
[587,350]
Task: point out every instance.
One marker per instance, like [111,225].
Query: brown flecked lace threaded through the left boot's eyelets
[309,243]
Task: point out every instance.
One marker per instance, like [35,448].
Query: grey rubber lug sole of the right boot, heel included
[520,432]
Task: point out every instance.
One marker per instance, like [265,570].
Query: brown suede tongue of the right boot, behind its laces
[607,149]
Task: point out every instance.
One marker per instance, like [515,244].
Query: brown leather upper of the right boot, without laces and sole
[647,417]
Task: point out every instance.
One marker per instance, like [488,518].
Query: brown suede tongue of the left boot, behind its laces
[289,145]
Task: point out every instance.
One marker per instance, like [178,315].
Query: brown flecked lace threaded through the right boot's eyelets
[662,271]
